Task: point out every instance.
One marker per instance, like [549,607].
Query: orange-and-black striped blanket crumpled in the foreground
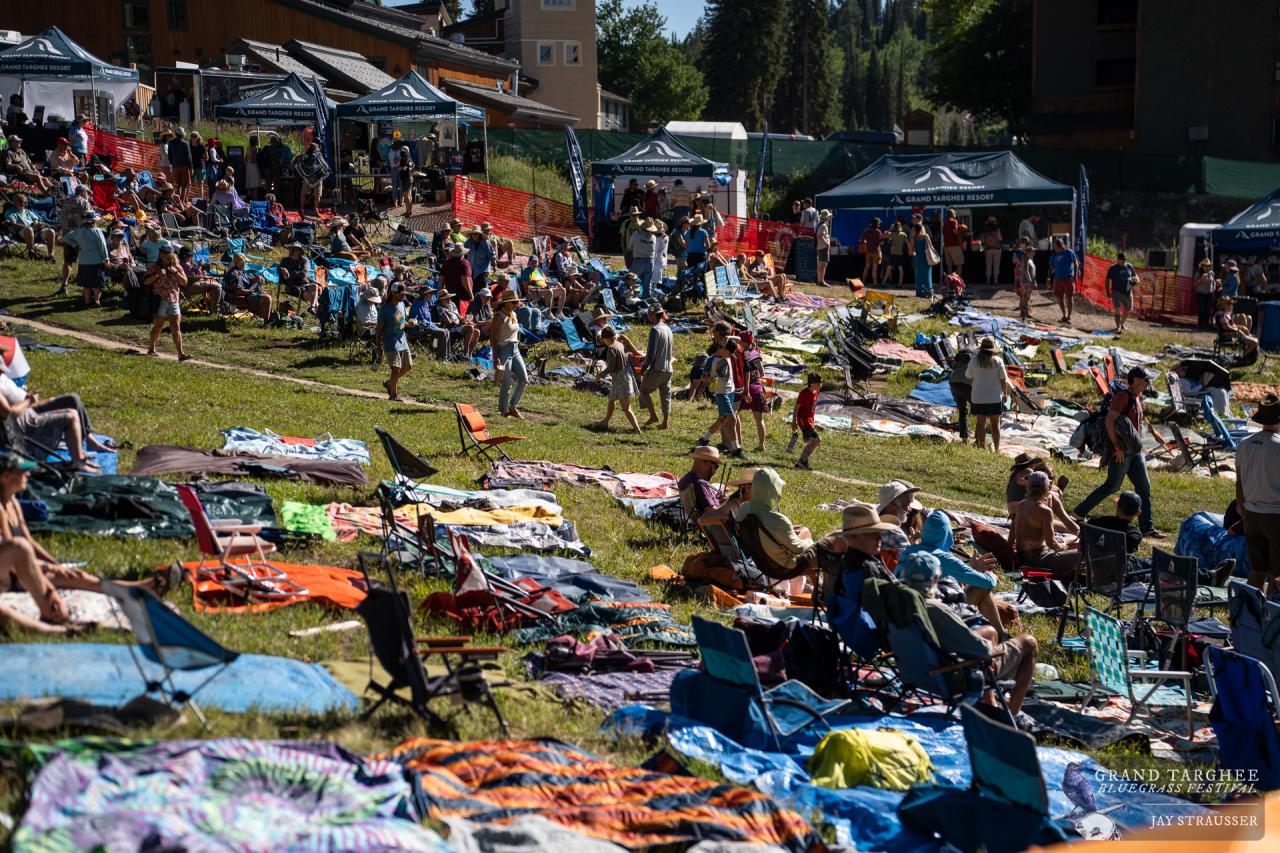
[499,781]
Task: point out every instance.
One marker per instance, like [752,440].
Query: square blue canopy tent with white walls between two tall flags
[661,158]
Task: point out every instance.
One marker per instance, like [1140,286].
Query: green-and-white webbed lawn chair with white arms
[1109,670]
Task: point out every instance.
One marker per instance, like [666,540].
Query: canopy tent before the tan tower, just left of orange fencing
[419,108]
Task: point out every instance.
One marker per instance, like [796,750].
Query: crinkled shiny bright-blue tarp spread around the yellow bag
[867,818]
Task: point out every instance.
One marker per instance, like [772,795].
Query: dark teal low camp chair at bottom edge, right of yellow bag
[1007,795]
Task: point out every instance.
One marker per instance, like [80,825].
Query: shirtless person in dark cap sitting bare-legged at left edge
[28,567]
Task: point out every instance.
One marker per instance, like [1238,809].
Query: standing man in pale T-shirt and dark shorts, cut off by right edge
[1258,494]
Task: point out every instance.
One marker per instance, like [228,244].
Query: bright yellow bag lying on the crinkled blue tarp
[880,758]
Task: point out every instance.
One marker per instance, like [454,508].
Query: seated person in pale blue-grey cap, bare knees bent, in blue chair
[1013,659]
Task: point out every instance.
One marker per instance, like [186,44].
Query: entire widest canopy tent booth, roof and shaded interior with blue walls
[977,185]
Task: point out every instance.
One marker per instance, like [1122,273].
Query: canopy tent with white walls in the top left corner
[52,71]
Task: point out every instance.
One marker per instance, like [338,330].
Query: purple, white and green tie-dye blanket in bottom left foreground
[222,795]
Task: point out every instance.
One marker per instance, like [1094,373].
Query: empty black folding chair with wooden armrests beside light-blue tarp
[391,633]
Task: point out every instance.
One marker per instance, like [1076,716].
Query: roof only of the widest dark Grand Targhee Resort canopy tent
[972,180]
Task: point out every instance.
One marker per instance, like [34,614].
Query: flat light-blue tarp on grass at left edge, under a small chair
[106,674]
